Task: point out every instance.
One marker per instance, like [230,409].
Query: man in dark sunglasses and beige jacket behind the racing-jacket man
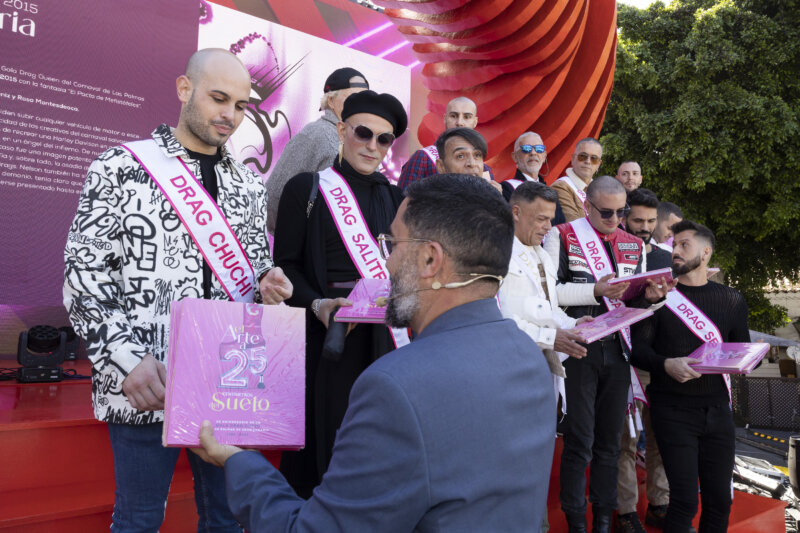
[571,188]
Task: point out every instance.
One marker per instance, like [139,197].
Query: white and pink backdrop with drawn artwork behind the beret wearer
[289,69]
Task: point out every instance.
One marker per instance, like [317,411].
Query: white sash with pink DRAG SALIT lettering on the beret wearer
[355,234]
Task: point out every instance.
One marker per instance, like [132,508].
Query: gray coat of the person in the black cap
[313,149]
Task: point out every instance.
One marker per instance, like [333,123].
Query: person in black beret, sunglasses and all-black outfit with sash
[324,261]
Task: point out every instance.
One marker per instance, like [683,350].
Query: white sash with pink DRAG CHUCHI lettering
[202,218]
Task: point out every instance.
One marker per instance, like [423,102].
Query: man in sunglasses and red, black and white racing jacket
[589,252]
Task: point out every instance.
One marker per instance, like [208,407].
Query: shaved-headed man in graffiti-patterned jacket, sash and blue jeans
[162,219]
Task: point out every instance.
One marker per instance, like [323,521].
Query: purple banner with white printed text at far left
[75,78]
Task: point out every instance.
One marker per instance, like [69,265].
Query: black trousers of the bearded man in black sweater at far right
[696,443]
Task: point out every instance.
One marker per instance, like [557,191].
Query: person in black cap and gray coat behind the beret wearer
[314,147]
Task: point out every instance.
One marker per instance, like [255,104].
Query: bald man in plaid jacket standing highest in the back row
[461,112]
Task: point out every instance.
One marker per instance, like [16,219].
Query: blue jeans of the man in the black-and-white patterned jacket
[143,470]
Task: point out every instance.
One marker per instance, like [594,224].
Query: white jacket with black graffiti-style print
[128,256]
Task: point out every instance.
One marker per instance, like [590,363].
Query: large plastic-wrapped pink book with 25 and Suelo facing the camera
[241,366]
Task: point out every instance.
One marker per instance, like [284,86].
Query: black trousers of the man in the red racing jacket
[597,392]
